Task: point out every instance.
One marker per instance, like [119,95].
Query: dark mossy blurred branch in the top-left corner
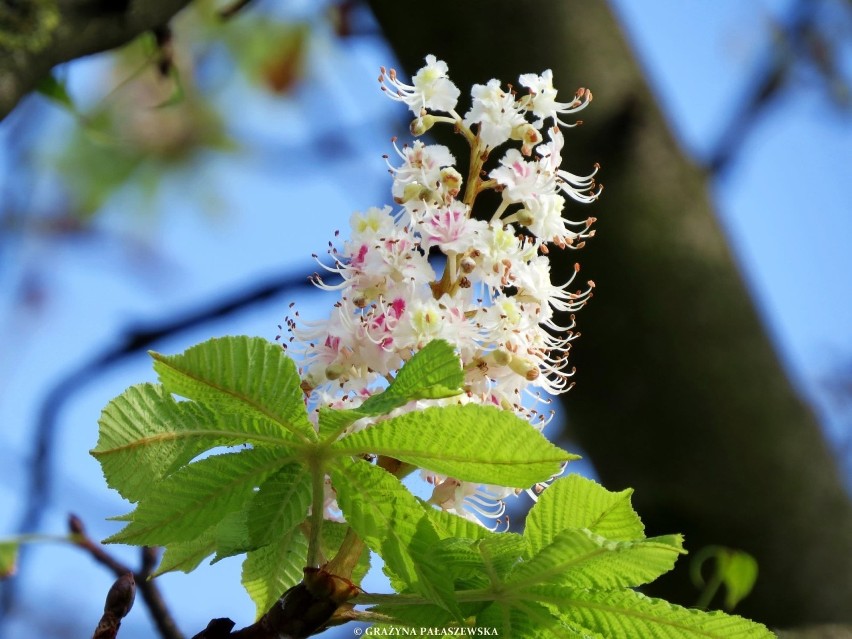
[56,31]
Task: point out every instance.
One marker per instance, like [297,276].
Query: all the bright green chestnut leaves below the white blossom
[237,466]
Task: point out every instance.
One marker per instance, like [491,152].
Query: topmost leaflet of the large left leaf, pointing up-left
[245,375]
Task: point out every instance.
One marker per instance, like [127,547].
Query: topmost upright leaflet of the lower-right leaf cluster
[577,502]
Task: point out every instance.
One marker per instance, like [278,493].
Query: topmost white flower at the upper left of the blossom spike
[430,88]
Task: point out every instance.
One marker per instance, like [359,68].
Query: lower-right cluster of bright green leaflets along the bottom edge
[566,580]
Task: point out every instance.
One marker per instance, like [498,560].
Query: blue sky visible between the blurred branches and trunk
[785,205]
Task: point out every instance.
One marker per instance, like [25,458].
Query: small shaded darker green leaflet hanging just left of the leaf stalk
[280,504]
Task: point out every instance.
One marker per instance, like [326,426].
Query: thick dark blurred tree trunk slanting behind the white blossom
[679,392]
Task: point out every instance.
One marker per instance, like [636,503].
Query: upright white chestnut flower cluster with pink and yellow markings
[493,299]
